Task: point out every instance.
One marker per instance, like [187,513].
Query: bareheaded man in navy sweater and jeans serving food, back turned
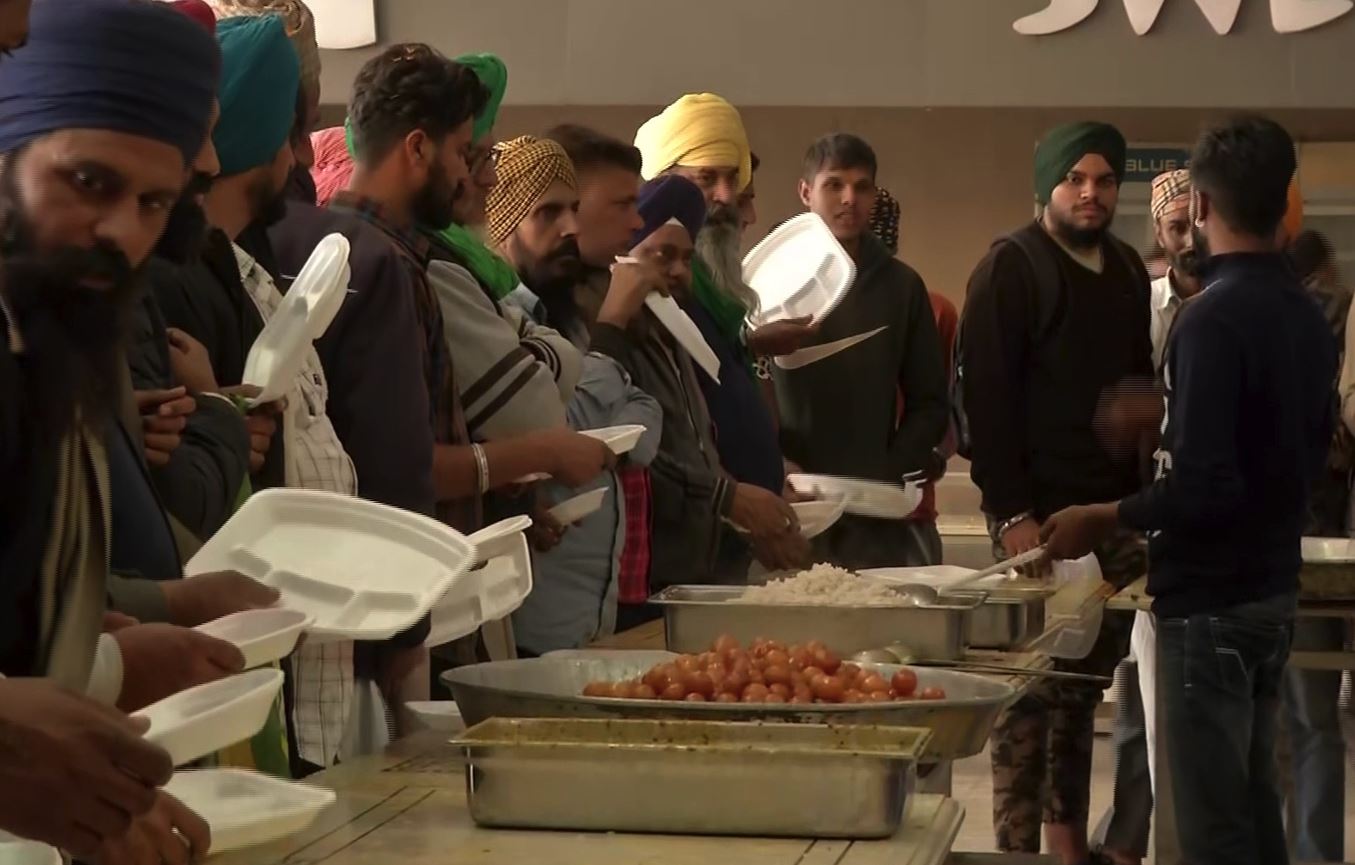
[1249,380]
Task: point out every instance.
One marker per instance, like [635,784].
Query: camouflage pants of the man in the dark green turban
[1043,744]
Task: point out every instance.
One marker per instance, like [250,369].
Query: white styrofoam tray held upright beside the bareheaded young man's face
[799,270]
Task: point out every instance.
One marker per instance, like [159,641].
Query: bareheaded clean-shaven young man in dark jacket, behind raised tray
[854,432]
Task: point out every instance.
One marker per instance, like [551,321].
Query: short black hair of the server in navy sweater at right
[1245,166]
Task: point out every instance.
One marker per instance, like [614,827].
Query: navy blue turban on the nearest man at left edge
[136,68]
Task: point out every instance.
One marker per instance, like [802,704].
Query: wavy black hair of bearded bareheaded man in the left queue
[406,89]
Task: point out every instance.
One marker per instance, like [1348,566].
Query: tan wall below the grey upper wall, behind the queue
[963,176]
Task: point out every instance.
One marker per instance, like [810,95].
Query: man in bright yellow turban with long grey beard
[701,138]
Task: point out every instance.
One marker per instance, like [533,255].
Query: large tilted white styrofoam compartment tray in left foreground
[364,571]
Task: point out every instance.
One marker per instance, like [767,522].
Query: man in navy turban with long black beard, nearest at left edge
[101,115]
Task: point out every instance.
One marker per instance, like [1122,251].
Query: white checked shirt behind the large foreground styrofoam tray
[325,689]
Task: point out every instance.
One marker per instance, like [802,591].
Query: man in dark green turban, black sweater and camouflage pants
[1056,322]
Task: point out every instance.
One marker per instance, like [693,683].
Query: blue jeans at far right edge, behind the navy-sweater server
[1318,814]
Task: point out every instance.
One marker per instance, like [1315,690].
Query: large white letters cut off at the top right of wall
[1287,16]
